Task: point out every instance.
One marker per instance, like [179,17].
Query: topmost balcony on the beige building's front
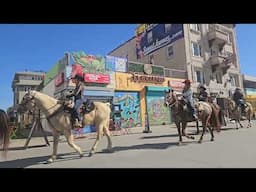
[217,36]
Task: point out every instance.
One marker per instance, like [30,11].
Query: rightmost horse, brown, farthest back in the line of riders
[236,112]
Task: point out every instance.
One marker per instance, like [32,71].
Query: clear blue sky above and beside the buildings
[40,46]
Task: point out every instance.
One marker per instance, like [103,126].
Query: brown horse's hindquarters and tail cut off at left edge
[5,130]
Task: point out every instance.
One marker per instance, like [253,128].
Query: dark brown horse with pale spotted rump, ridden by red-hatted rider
[182,116]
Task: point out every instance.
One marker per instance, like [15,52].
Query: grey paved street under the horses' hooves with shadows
[231,149]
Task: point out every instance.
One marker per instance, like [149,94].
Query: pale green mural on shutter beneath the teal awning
[158,114]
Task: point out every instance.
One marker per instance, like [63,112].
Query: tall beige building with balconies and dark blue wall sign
[204,53]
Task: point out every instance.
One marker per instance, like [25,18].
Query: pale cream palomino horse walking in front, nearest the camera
[59,120]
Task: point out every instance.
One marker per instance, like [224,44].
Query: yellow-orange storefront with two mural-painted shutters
[137,94]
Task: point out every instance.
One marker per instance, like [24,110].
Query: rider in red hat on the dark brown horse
[188,97]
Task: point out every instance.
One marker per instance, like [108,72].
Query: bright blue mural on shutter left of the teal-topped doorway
[130,106]
